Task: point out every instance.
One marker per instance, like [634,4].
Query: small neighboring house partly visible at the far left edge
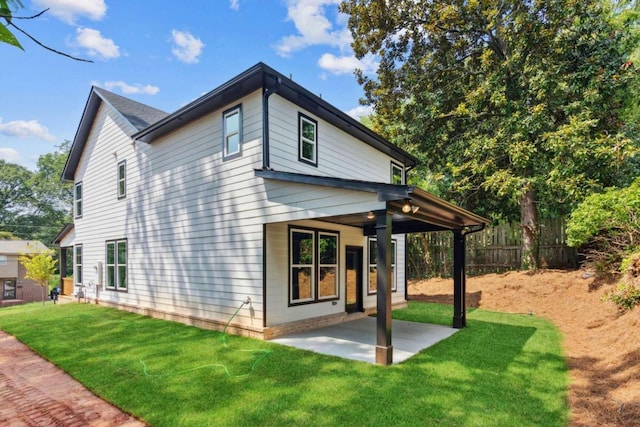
[15,288]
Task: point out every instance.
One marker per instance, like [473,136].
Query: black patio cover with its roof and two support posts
[406,209]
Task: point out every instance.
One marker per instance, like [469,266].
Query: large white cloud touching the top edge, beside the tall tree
[314,28]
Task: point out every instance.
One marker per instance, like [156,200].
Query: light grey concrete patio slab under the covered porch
[356,339]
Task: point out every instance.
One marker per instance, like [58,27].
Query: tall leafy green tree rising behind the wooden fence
[514,105]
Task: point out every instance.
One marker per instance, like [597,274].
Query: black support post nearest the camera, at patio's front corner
[384,349]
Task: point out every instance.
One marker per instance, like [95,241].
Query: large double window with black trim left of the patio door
[313,265]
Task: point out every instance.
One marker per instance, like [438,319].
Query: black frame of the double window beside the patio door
[316,266]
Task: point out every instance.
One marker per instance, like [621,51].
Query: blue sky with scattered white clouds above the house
[164,54]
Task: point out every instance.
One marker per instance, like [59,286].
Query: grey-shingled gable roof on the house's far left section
[136,114]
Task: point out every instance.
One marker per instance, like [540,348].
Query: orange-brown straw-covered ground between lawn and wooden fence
[602,347]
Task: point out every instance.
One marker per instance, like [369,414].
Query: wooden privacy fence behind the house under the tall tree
[492,250]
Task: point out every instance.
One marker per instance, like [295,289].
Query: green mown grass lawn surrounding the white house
[502,370]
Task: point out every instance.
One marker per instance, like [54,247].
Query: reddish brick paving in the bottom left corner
[33,392]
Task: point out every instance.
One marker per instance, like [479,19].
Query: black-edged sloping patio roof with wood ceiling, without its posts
[432,213]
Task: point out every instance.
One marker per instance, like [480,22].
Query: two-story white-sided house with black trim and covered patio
[257,192]
